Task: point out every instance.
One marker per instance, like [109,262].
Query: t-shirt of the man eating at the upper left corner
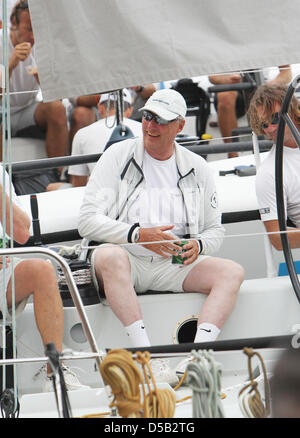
[21,80]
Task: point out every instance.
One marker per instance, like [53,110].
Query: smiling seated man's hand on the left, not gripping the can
[156,234]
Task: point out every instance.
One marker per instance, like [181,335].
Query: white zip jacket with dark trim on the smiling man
[118,177]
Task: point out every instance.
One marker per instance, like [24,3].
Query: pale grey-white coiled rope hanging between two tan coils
[203,375]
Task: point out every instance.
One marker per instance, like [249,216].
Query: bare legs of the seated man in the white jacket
[220,279]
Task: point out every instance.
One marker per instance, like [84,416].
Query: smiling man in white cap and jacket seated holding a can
[151,189]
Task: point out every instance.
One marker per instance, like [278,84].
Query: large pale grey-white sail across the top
[89,46]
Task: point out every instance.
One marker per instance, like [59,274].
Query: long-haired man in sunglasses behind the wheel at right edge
[264,110]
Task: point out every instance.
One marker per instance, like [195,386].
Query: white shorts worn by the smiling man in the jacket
[153,273]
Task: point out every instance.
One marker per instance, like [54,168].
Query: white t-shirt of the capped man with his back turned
[92,140]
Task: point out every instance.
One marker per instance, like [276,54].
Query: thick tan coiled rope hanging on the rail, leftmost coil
[121,373]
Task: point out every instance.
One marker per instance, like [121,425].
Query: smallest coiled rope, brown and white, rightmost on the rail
[250,400]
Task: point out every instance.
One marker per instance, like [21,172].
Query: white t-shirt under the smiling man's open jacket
[160,202]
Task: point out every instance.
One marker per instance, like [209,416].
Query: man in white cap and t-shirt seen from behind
[93,138]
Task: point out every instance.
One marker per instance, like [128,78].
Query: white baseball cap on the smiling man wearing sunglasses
[167,104]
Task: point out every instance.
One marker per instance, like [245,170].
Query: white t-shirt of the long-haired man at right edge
[266,186]
